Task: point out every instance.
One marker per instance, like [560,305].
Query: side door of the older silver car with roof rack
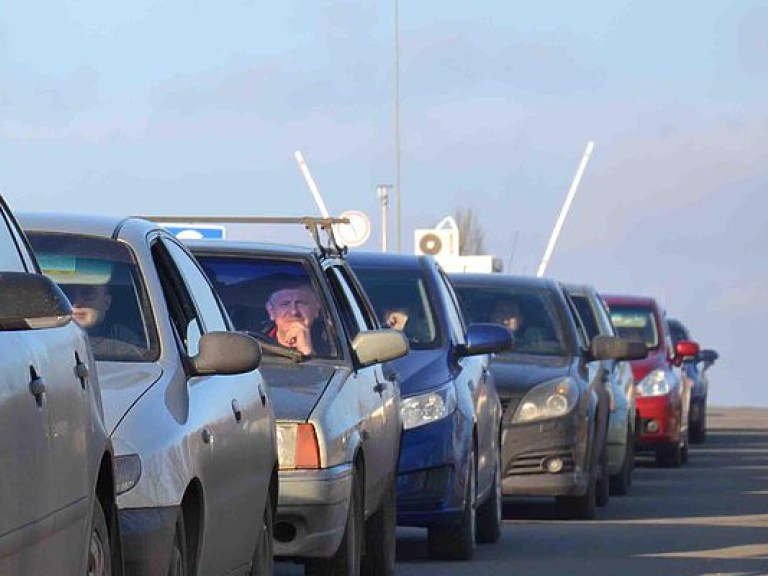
[376,394]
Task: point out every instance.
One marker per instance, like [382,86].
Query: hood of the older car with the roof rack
[296,388]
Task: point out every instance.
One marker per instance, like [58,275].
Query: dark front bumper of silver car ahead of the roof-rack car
[147,536]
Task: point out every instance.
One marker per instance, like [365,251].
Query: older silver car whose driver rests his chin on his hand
[338,412]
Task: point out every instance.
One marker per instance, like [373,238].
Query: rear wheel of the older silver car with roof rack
[380,542]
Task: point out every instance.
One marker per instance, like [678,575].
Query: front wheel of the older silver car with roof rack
[347,560]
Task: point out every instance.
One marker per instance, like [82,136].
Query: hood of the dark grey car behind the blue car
[515,374]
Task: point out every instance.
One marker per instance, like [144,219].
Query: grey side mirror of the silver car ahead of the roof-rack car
[226,353]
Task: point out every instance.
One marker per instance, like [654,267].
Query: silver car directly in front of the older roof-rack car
[190,420]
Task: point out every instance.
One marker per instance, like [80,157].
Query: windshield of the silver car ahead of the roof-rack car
[101,279]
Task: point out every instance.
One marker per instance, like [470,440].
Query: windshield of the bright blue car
[401,301]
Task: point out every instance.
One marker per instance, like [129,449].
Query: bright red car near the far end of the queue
[663,396]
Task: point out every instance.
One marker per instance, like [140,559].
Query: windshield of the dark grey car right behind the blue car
[530,314]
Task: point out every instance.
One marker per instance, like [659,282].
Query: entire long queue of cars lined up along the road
[207,407]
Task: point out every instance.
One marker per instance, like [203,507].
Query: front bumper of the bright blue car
[429,490]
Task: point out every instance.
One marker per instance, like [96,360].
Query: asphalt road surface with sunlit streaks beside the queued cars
[709,517]
